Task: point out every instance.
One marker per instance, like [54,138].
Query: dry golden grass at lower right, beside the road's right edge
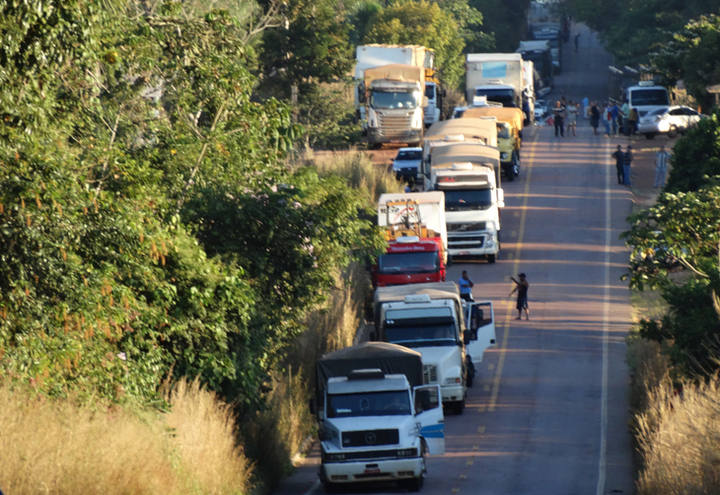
[679,439]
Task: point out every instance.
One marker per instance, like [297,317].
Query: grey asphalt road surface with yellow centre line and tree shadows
[548,413]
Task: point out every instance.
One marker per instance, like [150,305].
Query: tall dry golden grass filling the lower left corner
[59,447]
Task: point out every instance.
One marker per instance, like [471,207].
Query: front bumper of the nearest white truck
[371,470]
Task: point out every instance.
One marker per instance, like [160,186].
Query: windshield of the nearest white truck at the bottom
[390,403]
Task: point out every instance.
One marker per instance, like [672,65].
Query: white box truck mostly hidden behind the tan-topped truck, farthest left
[378,55]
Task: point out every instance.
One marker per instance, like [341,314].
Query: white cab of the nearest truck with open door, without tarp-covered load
[377,427]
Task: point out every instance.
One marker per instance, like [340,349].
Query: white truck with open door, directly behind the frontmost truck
[431,318]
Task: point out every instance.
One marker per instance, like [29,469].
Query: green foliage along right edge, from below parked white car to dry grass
[676,248]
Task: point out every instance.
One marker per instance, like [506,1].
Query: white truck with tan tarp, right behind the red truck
[469,175]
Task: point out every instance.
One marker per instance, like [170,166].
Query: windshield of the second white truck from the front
[419,332]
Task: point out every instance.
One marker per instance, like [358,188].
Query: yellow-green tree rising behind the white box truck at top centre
[408,22]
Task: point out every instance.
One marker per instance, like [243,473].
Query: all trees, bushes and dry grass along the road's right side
[675,247]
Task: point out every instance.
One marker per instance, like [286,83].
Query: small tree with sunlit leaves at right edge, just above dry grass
[681,230]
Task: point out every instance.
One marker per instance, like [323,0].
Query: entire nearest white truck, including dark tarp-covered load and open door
[377,421]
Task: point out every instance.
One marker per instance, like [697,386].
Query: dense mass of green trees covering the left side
[148,223]
